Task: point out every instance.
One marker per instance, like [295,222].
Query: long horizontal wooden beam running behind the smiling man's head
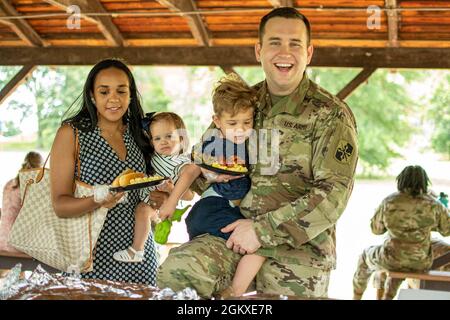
[429,58]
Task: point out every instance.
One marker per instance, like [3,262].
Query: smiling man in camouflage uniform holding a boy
[291,214]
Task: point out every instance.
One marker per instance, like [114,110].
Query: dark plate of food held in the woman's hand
[131,180]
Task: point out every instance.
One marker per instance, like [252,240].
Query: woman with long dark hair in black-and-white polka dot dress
[111,140]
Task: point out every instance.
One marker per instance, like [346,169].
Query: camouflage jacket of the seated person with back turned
[408,222]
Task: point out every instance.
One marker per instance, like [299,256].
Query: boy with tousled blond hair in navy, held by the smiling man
[234,106]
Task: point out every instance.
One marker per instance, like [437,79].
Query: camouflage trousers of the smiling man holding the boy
[208,266]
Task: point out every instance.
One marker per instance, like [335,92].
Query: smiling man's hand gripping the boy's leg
[243,240]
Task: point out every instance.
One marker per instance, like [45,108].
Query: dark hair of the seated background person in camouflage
[413,180]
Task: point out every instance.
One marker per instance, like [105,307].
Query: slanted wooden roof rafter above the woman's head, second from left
[104,23]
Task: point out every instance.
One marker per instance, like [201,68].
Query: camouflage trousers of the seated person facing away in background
[371,261]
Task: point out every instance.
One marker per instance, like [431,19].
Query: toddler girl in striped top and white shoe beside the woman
[167,133]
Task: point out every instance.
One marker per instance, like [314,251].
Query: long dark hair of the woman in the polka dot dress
[85,118]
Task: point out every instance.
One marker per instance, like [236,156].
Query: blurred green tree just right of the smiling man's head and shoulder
[382,109]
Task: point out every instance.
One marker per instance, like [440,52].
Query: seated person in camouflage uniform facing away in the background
[408,216]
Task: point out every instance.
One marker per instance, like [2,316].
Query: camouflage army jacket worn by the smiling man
[295,209]
